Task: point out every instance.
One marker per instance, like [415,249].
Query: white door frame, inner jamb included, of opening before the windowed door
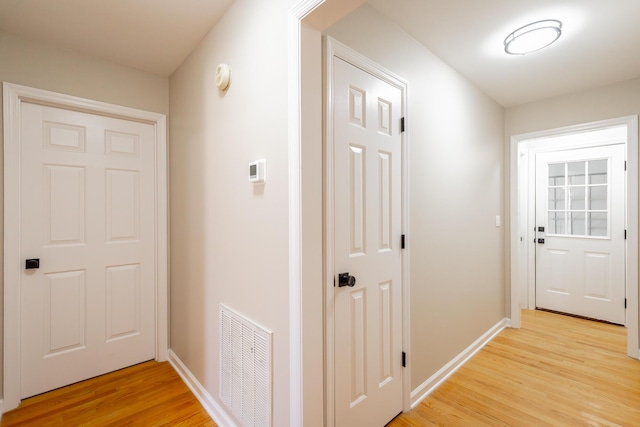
[522,228]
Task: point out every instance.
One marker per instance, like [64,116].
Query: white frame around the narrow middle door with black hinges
[333,50]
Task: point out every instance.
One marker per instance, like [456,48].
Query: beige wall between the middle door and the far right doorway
[456,190]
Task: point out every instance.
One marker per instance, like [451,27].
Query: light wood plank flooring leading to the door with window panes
[554,371]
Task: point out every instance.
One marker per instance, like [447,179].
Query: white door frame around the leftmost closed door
[14,96]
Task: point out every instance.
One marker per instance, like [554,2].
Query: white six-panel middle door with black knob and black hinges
[367,214]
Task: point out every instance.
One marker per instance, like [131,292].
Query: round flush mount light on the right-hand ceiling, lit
[533,37]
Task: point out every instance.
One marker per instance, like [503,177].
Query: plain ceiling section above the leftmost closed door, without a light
[149,35]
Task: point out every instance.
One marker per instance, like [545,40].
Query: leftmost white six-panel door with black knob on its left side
[87,214]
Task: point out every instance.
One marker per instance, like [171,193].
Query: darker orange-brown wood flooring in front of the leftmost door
[148,394]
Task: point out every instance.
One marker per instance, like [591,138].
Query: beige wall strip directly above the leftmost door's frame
[40,66]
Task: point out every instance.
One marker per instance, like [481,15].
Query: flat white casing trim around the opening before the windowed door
[631,219]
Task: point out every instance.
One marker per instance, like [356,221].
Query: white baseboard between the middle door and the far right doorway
[433,382]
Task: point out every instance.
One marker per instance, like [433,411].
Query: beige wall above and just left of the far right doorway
[618,100]
